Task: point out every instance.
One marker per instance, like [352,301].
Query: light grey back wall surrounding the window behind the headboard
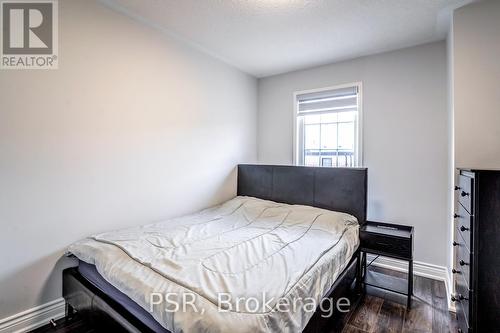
[405,135]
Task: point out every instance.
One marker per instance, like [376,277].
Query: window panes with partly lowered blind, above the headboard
[328,129]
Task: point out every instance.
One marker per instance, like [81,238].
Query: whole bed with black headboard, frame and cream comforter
[290,234]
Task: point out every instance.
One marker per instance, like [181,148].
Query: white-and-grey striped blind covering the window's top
[337,100]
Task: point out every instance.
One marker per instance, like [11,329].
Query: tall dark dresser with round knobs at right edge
[476,271]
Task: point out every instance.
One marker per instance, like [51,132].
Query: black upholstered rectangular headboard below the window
[338,189]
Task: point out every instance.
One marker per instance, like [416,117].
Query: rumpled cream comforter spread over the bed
[229,268]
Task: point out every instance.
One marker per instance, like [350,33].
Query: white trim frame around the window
[359,147]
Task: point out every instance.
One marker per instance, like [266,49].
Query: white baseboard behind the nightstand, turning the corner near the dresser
[430,271]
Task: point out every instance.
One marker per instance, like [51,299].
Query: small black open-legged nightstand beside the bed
[387,240]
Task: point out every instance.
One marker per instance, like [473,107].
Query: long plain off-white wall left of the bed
[133,127]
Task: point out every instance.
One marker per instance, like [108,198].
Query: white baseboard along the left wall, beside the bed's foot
[33,318]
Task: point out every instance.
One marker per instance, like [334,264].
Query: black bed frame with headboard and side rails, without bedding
[338,189]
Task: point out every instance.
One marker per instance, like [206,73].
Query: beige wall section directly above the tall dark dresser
[476,69]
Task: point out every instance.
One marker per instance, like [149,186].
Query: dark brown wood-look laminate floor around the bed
[378,312]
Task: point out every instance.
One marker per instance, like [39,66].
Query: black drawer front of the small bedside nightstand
[385,245]
